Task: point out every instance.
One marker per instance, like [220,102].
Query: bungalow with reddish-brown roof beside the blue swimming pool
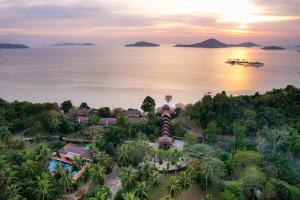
[69,151]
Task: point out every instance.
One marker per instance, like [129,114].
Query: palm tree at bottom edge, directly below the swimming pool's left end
[44,189]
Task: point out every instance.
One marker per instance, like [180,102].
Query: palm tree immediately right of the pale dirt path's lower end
[129,176]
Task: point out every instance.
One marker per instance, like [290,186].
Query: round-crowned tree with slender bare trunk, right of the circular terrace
[211,168]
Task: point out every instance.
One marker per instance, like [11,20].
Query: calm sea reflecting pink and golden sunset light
[121,77]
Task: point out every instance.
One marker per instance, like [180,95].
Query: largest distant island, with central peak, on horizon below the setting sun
[213,43]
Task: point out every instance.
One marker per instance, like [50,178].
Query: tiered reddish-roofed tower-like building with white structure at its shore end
[165,111]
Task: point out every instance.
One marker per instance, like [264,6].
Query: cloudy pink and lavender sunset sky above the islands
[40,22]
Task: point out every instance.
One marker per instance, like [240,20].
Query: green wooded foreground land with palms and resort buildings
[232,147]
